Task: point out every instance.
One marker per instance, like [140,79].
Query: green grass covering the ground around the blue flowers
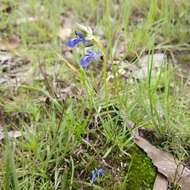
[67,135]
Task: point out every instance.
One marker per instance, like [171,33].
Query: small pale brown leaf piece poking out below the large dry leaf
[160,183]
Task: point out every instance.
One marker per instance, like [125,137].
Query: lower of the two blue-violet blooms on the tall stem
[89,56]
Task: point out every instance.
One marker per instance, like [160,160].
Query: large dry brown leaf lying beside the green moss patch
[165,163]
